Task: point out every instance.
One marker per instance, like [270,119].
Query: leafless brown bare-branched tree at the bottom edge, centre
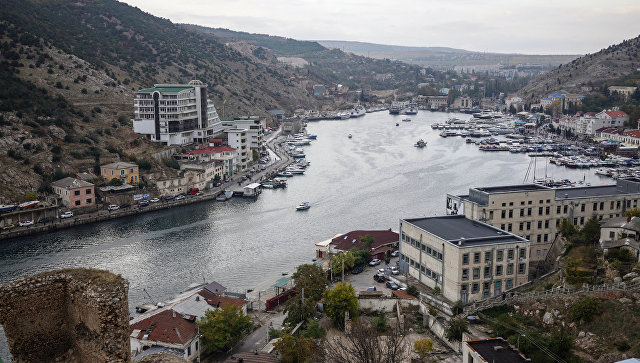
[364,344]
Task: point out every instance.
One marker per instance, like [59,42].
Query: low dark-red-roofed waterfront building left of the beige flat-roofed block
[384,242]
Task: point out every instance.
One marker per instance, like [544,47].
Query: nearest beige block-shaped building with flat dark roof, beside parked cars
[469,260]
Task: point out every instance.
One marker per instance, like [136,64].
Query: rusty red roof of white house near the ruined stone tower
[166,326]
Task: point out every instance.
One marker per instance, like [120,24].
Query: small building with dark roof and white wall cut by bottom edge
[493,350]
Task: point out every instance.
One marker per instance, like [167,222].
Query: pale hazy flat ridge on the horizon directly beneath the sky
[442,56]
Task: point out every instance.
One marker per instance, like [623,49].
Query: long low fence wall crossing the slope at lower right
[562,292]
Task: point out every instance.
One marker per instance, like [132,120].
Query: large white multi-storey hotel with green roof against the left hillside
[176,114]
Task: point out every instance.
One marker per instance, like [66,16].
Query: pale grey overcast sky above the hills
[509,26]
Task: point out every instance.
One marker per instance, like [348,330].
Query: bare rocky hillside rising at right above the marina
[580,75]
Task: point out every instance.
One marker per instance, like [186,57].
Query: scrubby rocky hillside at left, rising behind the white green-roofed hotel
[67,87]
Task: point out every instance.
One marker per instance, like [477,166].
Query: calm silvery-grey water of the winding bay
[367,182]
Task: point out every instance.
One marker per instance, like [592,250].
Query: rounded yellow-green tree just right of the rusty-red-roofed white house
[222,328]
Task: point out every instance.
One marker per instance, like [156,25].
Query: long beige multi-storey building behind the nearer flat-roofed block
[534,211]
